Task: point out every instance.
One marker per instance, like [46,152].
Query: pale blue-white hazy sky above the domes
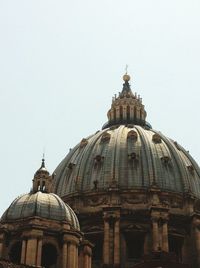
[61,62]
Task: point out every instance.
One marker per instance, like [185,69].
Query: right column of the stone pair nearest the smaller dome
[117,241]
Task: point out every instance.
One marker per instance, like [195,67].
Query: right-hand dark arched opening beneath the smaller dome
[49,256]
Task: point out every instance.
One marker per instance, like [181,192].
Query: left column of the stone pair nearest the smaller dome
[106,243]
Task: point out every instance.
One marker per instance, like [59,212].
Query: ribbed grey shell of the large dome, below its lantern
[133,157]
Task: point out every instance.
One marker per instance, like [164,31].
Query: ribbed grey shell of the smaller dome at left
[44,205]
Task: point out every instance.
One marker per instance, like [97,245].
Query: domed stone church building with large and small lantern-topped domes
[124,197]
